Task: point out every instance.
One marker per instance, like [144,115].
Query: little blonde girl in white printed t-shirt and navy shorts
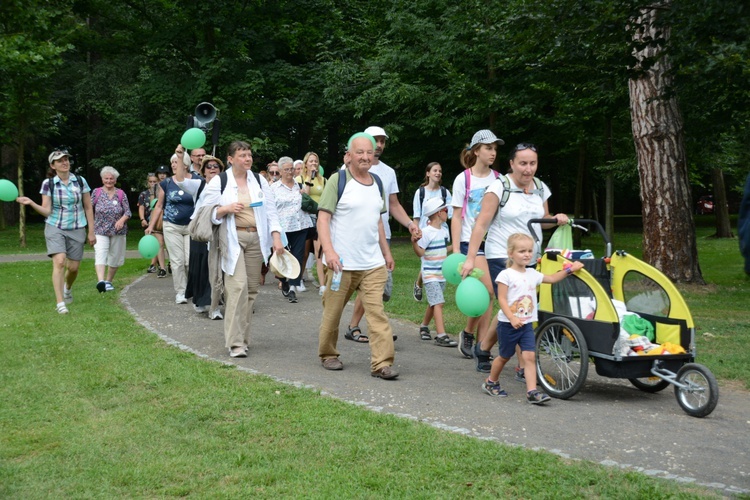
[516,293]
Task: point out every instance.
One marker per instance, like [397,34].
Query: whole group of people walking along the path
[253,217]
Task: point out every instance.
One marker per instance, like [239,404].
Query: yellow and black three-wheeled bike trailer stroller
[579,320]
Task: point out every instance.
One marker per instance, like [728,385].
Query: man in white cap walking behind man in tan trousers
[392,207]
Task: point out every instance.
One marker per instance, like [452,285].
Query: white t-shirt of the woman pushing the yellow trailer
[513,217]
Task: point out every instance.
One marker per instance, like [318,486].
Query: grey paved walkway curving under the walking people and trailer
[608,422]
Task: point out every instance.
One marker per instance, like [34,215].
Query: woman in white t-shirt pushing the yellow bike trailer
[527,199]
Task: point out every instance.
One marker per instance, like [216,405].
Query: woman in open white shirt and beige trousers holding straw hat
[247,210]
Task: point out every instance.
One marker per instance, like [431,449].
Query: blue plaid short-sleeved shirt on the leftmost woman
[67,205]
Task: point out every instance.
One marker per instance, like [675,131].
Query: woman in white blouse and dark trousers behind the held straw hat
[294,221]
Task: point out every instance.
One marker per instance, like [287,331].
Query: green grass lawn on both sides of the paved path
[94,405]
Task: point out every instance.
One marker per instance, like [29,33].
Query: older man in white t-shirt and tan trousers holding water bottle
[352,237]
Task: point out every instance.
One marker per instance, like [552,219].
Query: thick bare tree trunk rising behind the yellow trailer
[668,227]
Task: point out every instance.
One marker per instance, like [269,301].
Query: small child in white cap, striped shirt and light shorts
[432,248]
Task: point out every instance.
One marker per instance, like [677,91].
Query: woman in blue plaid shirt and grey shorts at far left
[69,216]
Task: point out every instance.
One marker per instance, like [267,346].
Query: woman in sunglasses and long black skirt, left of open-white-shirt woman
[199,286]
